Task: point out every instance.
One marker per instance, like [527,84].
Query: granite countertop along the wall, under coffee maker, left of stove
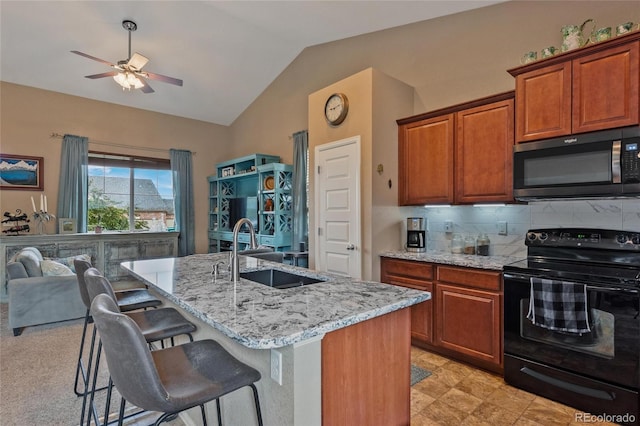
[494,263]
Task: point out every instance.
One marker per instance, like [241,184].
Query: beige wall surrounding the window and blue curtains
[29,116]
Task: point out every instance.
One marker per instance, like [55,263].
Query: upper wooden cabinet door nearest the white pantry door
[425,156]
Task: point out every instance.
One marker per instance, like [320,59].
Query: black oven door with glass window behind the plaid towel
[610,352]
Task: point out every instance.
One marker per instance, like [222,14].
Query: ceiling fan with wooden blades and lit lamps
[128,73]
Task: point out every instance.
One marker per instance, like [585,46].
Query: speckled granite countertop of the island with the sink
[261,317]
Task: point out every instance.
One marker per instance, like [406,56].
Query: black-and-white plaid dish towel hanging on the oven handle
[559,305]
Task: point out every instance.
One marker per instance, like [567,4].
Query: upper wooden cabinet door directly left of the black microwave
[484,153]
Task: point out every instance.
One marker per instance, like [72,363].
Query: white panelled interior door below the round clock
[337,203]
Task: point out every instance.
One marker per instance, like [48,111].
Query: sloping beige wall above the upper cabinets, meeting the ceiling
[447,60]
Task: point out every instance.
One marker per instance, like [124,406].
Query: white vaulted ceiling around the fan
[226,52]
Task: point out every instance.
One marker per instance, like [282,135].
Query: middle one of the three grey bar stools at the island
[156,325]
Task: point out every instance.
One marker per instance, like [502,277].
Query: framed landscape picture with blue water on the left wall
[21,172]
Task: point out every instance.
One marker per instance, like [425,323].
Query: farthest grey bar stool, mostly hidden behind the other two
[128,300]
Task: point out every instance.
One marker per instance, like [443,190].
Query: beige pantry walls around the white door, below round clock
[375,99]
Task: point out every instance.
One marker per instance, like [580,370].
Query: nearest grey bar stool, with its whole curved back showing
[167,380]
